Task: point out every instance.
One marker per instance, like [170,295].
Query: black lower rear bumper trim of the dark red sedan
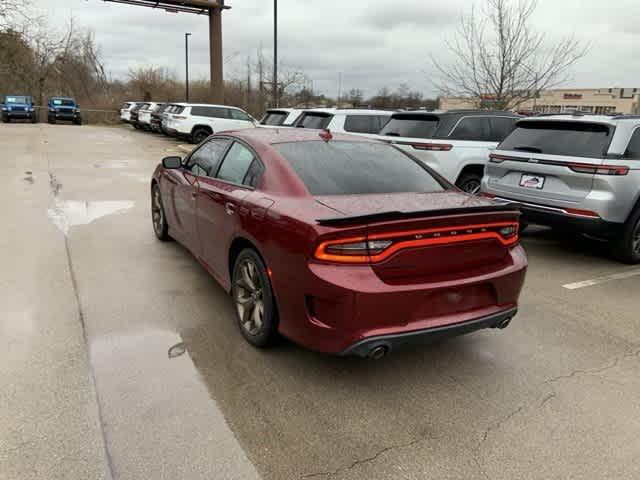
[395,341]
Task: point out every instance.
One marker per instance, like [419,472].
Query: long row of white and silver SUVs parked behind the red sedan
[575,172]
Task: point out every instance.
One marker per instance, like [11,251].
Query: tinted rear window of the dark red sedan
[352,168]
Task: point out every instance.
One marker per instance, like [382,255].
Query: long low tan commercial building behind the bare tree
[598,100]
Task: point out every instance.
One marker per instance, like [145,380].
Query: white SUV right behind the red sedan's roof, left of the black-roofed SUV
[349,120]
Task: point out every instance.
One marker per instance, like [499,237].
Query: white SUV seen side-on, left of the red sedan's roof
[196,122]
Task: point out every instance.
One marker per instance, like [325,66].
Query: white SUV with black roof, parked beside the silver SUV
[455,143]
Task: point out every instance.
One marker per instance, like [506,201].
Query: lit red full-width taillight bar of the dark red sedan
[378,247]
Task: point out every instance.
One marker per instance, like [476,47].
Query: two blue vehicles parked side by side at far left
[21,107]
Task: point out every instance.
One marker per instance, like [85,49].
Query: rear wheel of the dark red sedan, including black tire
[256,310]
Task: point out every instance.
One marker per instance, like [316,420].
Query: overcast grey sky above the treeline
[374,43]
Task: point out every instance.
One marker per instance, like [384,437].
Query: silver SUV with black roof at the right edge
[578,172]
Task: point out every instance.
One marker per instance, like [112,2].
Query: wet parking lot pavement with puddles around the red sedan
[122,360]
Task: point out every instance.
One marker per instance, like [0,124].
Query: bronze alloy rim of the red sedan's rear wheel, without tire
[249,297]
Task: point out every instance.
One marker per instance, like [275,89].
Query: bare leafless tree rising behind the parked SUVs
[500,61]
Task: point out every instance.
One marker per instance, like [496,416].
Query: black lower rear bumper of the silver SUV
[558,218]
